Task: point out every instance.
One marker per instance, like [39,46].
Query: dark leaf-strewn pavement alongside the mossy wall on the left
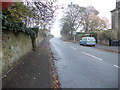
[33,70]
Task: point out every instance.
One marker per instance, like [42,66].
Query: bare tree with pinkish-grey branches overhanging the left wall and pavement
[42,12]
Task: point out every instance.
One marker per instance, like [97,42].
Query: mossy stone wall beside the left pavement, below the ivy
[14,47]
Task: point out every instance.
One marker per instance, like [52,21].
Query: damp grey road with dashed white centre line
[83,66]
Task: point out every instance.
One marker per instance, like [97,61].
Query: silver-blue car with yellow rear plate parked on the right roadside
[88,41]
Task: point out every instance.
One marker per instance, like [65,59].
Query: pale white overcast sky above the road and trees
[103,6]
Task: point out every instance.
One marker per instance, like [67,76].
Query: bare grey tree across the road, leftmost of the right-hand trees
[72,18]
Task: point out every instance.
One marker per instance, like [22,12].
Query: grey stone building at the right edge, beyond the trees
[116,19]
